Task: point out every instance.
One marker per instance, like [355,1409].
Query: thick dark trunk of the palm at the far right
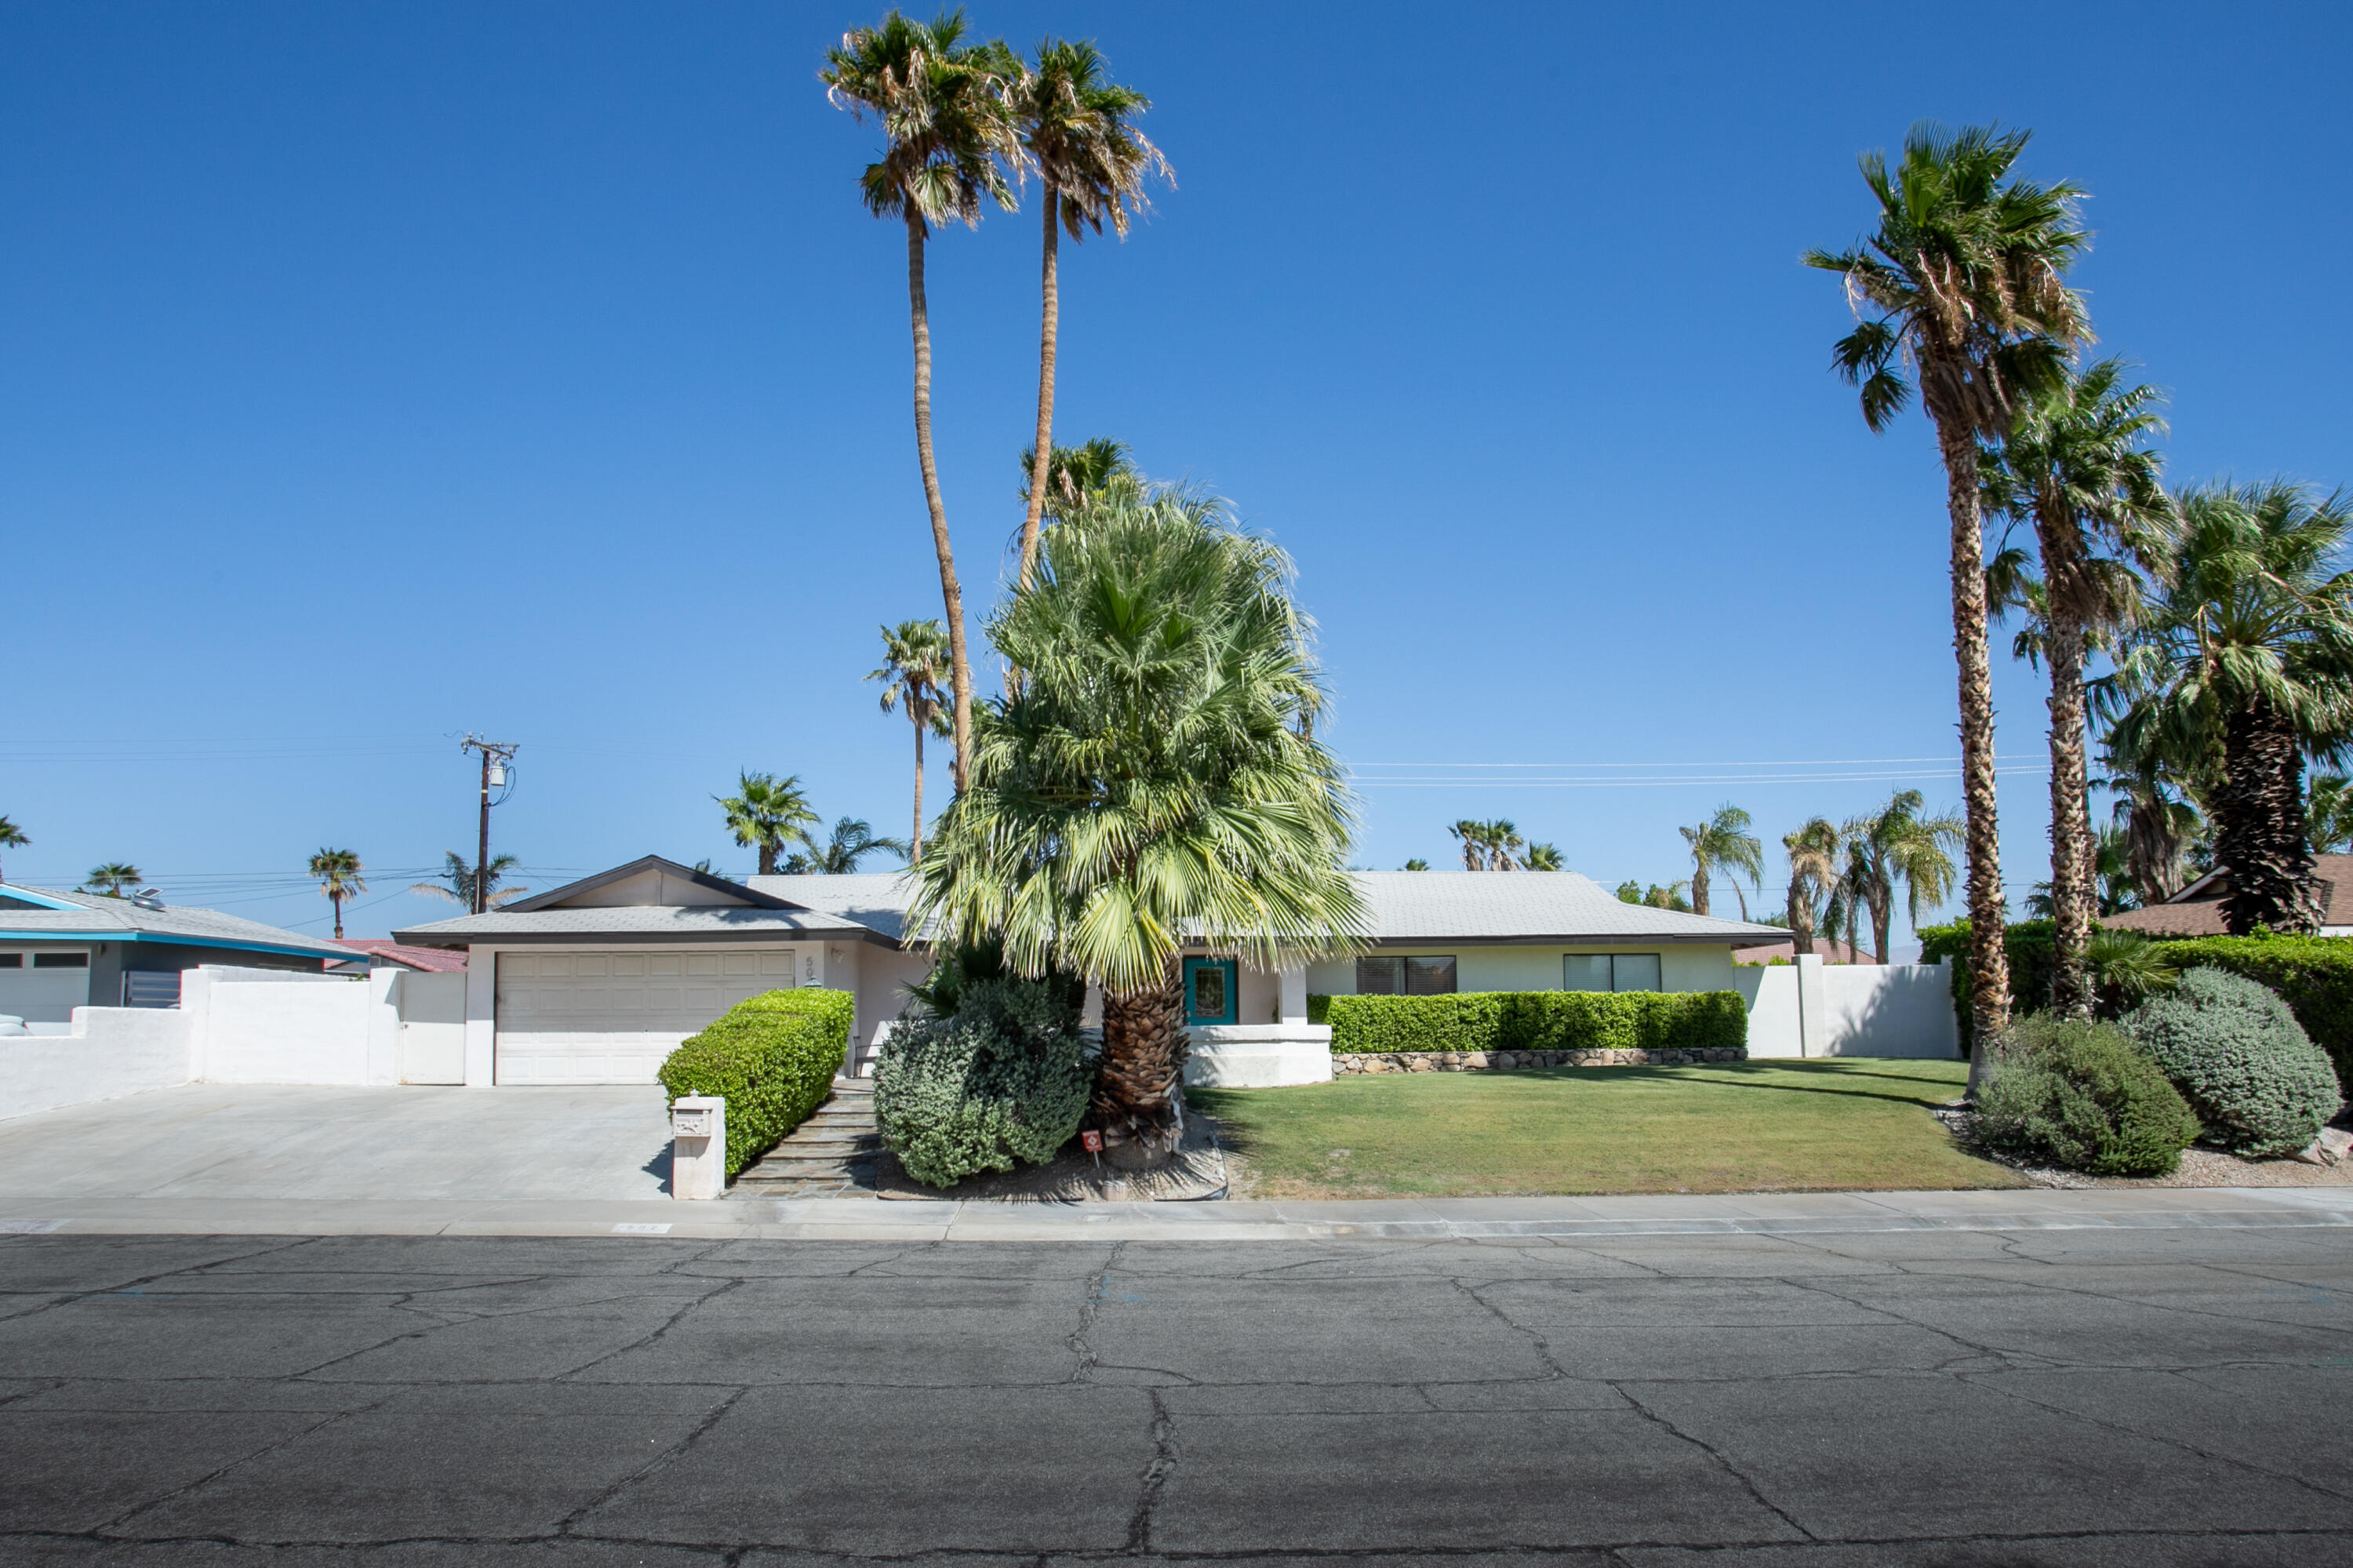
[2260,825]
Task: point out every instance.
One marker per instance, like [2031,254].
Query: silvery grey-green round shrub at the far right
[2241,1061]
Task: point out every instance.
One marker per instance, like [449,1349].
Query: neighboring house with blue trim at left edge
[79,950]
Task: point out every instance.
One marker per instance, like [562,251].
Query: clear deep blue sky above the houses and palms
[371,376]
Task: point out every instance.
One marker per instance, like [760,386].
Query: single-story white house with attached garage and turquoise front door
[599,981]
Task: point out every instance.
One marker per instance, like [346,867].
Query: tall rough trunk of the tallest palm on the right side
[1989,962]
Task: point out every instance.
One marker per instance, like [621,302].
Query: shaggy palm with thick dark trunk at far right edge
[2248,656]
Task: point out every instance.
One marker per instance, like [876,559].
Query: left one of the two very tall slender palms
[949,135]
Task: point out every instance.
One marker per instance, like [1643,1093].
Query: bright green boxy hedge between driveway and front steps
[773,1058]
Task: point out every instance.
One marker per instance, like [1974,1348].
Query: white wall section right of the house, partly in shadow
[1815,1009]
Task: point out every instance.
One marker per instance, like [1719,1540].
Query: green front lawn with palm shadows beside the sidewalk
[1742,1127]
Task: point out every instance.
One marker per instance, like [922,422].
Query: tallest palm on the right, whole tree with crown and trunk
[1964,291]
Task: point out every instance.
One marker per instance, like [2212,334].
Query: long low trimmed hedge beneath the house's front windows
[1540,1021]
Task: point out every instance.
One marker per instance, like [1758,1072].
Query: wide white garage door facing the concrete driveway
[613,1018]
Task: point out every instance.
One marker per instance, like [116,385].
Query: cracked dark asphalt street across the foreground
[1752,1402]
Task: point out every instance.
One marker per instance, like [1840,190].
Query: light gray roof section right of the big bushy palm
[1531,908]
